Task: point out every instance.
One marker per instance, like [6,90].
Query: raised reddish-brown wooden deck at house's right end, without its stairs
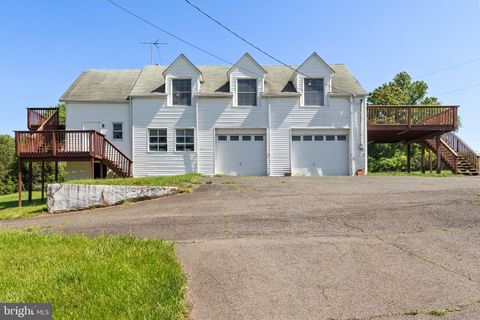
[406,123]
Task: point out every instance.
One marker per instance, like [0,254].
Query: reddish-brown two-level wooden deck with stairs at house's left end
[48,140]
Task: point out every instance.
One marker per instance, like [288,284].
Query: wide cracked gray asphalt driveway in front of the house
[312,248]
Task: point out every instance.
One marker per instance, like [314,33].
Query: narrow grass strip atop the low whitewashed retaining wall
[183,182]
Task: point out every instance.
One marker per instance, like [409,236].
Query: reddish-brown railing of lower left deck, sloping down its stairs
[71,144]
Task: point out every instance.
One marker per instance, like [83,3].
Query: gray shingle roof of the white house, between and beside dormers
[99,85]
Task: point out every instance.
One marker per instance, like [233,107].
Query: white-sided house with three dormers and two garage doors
[248,119]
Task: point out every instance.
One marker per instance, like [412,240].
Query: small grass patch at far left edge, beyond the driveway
[9,203]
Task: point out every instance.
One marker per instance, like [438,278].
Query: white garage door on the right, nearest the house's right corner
[320,153]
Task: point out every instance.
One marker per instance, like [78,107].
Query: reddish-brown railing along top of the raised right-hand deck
[412,116]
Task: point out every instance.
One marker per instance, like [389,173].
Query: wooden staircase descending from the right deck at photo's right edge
[456,154]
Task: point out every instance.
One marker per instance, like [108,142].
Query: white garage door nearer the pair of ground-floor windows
[241,154]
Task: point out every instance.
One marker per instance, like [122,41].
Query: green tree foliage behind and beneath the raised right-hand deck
[402,90]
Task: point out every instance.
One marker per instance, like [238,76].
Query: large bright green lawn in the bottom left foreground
[93,278]
